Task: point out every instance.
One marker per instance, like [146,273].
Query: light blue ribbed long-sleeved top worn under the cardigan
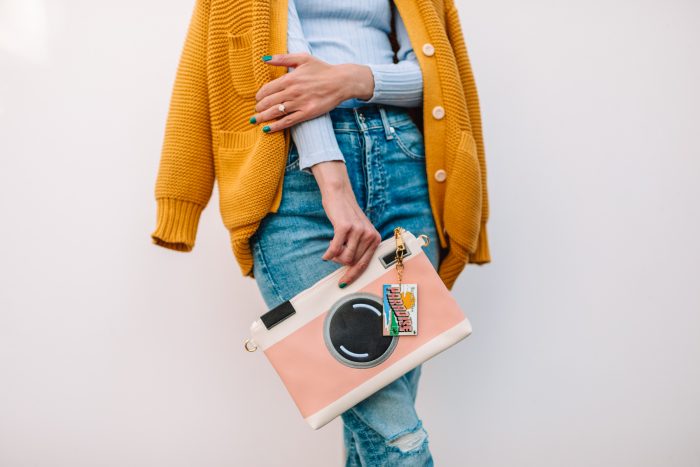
[351,31]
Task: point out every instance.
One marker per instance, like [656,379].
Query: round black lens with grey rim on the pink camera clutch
[353,331]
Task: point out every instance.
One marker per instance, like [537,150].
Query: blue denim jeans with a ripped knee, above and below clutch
[385,159]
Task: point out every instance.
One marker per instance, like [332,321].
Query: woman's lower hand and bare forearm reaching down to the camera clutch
[355,238]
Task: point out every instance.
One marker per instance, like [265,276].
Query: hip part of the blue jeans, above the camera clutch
[384,156]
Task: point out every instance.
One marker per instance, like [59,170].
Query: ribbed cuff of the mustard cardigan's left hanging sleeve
[176,224]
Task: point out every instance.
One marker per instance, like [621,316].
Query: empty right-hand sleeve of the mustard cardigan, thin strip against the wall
[456,38]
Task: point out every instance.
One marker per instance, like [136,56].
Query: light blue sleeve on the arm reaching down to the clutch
[314,138]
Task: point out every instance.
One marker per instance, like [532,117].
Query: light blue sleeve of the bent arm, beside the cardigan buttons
[399,83]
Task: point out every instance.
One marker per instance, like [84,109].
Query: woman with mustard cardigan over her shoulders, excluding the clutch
[355,167]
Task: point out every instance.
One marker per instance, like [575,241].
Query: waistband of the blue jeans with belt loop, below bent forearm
[369,116]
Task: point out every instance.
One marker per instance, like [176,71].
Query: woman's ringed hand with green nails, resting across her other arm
[313,88]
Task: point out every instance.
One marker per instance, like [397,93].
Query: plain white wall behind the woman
[585,351]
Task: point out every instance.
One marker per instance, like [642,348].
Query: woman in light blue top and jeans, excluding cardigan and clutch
[352,175]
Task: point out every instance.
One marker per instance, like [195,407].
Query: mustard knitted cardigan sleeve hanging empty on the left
[185,177]
